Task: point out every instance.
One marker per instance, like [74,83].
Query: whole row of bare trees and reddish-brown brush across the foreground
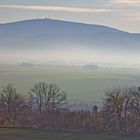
[44,107]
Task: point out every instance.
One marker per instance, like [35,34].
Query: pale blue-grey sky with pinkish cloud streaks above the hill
[122,14]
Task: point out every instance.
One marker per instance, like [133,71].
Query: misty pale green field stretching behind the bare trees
[79,84]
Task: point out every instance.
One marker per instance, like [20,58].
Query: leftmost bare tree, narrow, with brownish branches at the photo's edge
[12,103]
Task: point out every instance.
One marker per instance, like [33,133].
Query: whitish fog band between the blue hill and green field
[68,56]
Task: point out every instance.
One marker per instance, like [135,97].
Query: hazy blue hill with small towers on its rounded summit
[47,34]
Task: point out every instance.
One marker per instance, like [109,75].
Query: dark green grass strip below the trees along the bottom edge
[34,134]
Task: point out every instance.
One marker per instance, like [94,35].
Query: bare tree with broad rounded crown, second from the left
[46,98]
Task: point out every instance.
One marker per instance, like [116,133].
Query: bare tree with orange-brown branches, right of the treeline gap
[117,108]
